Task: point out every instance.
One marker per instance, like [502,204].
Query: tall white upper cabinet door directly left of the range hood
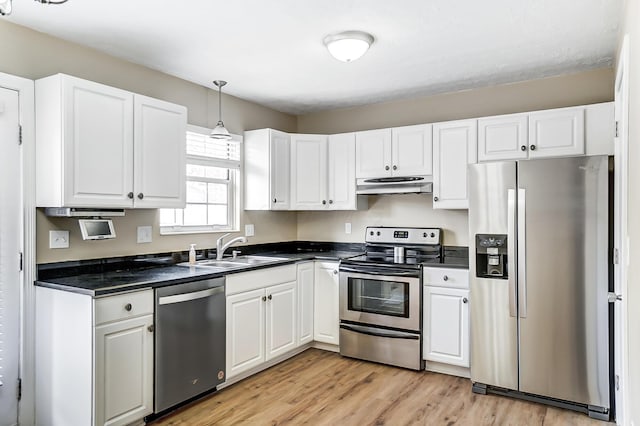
[342,172]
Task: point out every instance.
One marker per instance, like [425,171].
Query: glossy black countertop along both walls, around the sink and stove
[116,275]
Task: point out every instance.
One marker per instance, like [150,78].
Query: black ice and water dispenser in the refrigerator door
[491,256]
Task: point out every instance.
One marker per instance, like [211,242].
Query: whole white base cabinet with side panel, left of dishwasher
[94,358]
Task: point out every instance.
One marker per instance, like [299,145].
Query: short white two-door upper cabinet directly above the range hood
[401,151]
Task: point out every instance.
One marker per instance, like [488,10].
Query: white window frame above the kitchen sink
[234,189]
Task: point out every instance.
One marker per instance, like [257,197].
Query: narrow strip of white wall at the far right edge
[631,26]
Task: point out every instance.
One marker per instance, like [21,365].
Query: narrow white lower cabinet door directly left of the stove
[326,320]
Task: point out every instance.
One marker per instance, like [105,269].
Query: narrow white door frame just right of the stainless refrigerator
[621,239]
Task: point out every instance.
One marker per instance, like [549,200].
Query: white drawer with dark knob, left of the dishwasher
[122,306]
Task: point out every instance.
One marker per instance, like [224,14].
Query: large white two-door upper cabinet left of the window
[98,146]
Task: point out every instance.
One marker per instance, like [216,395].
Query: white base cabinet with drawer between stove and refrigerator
[446,318]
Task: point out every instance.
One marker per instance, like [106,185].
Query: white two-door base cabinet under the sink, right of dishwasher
[262,317]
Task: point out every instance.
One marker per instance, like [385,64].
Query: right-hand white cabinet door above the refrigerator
[556,133]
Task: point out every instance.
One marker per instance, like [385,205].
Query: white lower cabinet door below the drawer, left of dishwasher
[124,371]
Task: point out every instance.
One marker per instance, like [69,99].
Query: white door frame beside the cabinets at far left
[26,93]
